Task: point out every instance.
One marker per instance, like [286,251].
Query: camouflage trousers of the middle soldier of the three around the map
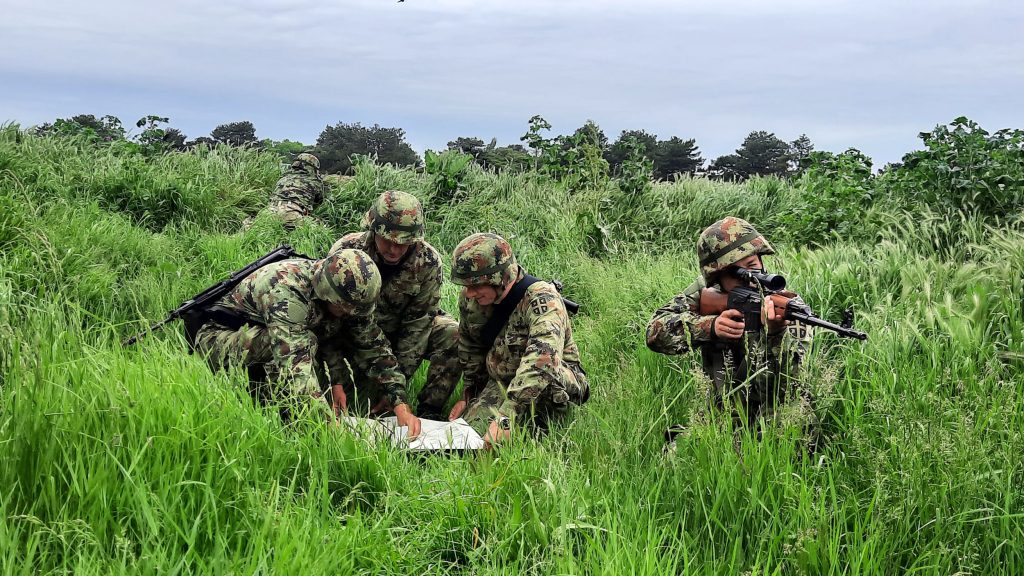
[443,376]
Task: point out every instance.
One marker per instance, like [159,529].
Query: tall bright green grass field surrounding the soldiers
[142,461]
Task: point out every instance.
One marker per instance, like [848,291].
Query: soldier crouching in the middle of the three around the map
[407,308]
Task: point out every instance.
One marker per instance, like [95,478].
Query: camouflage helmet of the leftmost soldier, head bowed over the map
[349,278]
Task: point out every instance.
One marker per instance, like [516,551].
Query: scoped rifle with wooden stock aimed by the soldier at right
[749,300]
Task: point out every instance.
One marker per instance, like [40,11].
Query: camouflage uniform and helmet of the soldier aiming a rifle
[762,368]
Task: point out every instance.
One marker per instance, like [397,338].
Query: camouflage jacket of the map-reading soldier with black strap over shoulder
[531,353]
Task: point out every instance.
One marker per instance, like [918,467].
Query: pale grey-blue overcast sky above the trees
[869,74]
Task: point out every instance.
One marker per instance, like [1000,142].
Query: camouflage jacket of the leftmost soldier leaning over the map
[281,298]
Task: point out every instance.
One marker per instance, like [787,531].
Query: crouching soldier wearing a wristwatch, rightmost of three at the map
[516,342]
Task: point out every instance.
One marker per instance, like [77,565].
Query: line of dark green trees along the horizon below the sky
[761,153]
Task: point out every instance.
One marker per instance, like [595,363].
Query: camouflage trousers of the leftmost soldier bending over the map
[249,347]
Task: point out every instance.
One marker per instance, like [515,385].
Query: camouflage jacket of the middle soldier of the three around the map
[410,295]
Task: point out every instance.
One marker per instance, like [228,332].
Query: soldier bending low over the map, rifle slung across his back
[287,320]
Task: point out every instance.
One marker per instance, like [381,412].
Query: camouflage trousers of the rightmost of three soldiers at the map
[554,403]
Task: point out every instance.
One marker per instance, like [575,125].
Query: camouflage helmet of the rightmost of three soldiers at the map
[484,259]
